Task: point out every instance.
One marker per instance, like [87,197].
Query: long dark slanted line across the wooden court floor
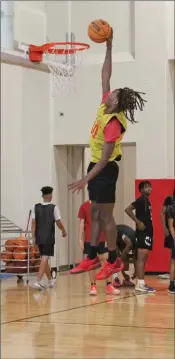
[75,308]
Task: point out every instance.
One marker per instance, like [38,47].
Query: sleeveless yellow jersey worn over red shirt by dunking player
[97,138]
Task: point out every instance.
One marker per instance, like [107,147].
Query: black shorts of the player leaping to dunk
[102,187]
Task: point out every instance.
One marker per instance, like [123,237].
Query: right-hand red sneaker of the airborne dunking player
[109,269]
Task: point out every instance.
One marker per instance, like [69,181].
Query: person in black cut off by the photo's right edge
[171,227]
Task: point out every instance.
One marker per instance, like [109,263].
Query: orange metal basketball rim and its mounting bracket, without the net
[36,52]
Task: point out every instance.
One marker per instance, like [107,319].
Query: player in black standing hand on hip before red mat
[144,232]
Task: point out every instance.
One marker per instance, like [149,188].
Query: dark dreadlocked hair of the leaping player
[128,101]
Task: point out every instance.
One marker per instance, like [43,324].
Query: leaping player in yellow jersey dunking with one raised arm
[107,132]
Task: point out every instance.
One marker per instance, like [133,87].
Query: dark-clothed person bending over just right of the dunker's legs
[125,242]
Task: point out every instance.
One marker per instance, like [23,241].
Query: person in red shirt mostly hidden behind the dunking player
[84,236]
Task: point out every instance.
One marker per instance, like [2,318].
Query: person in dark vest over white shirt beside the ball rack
[44,216]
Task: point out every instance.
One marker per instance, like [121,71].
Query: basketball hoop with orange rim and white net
[61,59]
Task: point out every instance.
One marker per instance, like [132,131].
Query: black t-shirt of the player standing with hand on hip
[143,209]
